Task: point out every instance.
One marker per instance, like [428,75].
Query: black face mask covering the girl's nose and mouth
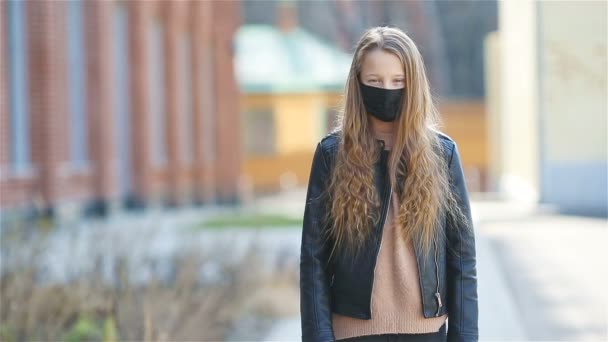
[384,104]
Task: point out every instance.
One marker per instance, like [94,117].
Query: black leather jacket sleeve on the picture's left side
[315,301]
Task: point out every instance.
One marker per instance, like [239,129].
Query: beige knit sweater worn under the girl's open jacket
[396,303]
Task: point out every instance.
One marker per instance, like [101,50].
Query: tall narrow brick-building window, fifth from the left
[186,108]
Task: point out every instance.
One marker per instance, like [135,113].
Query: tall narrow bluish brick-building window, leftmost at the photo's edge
[17,68]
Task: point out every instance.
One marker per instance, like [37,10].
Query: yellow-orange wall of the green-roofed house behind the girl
[301,123]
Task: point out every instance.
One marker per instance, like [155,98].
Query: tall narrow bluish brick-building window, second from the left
[77,84]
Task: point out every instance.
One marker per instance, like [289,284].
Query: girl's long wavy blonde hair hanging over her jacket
[416,155]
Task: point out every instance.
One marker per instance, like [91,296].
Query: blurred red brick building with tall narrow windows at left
[128,102]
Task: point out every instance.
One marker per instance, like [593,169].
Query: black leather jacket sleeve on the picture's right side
[461,262]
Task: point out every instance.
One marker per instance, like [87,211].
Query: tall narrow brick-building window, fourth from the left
[157,120]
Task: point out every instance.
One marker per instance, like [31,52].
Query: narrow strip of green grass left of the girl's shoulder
[252,220]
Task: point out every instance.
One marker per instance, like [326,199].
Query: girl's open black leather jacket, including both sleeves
[448,282]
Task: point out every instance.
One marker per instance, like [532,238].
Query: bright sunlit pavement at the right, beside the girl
[556,270]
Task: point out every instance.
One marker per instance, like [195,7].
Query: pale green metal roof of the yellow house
[270,61]
